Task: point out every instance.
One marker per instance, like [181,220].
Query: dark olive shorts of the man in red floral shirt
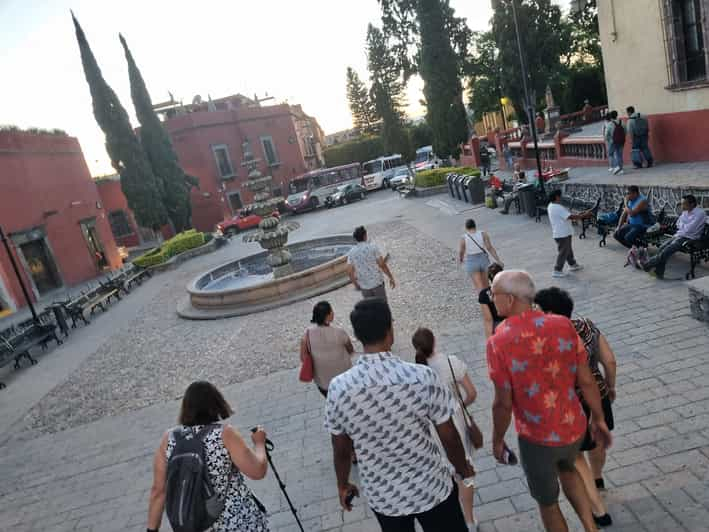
[542,465]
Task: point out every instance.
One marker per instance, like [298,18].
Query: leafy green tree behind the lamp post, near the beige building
[546,39]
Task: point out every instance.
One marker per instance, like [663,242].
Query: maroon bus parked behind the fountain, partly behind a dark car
[309,191]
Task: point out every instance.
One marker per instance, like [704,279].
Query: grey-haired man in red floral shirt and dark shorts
[536,361]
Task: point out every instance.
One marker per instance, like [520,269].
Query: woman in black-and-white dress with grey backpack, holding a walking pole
[198,449]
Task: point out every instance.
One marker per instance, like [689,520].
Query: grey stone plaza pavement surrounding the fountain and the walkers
[94,473]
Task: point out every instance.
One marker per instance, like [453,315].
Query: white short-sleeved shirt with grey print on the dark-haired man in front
[386,407]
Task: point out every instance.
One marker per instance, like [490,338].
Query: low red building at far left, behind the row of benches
[51,211]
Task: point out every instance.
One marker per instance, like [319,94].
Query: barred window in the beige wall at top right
[686,42]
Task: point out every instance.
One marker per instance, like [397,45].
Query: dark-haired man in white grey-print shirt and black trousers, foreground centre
[386,409]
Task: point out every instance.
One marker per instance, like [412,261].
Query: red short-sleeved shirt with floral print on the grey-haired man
[536,355]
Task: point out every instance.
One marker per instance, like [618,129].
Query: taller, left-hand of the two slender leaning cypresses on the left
[141,188]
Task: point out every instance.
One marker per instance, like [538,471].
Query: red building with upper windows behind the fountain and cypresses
[209,141]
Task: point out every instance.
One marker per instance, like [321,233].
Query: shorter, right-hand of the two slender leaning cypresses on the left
[176,185]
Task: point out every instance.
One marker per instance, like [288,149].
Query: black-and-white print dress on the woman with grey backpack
[241,512]
